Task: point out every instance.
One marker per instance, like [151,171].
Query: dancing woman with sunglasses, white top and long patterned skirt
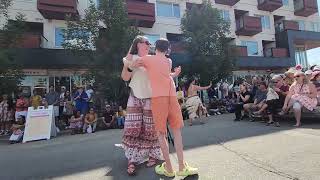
[140,140]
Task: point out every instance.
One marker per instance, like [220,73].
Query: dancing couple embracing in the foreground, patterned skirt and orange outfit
[152,102]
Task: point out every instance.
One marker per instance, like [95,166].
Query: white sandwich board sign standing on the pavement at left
[40,124]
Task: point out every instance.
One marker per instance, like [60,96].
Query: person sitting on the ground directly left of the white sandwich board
[17,130]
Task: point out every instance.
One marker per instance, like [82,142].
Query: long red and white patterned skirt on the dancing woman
[140,138]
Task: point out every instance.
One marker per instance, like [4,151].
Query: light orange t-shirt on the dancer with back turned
[158,70]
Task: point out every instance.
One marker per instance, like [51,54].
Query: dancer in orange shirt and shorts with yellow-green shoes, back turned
[165,107]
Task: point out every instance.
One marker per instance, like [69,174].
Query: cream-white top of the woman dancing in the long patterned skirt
[139,84]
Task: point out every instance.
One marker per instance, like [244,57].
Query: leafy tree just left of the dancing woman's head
[104,35]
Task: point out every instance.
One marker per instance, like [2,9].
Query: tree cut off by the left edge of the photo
[10,35]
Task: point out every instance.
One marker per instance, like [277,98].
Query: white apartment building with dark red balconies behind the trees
[265,34]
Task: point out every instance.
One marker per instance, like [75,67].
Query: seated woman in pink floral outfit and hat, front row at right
[301,94]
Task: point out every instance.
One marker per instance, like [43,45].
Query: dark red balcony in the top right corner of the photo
[305,8]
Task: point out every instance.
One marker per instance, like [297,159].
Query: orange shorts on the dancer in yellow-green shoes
[166,109]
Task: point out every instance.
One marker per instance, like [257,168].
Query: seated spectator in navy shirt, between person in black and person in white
[259,99]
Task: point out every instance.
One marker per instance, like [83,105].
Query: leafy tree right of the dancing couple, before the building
[204,33]
